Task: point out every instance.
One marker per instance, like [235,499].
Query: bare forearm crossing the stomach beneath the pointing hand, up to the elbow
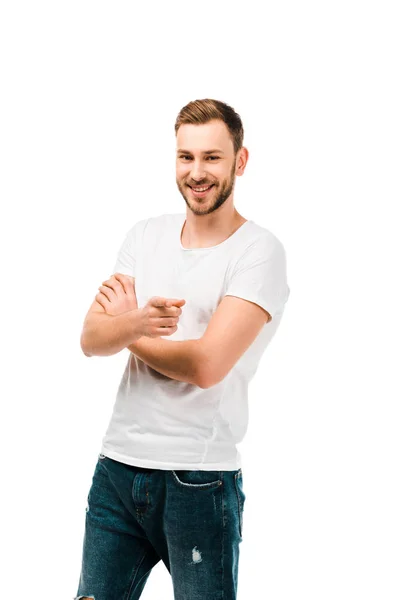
[179,360]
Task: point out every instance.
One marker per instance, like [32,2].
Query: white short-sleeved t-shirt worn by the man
[162,423]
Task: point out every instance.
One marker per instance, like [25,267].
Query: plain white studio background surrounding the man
[90,93]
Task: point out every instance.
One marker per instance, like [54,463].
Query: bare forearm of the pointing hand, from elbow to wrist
[105,335]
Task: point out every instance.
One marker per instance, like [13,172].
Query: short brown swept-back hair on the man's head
[203,111]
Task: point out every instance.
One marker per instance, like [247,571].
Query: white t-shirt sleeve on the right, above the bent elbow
[260,275]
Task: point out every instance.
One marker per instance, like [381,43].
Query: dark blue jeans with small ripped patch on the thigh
[192,520]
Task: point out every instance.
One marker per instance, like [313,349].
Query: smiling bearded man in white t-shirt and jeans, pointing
[168,484]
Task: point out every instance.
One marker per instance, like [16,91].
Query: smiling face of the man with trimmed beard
[205,158]
